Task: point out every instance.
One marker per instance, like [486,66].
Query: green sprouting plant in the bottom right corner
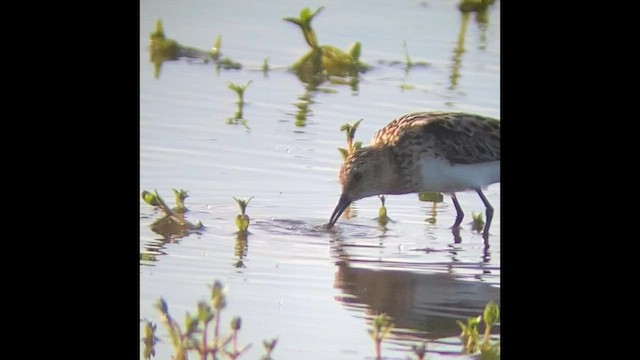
[470,335]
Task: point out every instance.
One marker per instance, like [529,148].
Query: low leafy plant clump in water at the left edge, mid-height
[173,223]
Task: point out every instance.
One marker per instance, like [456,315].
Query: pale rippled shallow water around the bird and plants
[314,289]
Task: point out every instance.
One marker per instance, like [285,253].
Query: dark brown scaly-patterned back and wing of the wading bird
[458,137]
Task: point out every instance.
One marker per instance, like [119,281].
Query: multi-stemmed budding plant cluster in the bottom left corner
[193,335]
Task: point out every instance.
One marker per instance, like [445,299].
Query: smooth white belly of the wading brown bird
[440,176]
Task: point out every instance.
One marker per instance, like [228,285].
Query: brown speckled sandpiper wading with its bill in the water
[446,152]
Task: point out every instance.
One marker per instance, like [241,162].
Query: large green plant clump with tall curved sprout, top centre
[323,61]
